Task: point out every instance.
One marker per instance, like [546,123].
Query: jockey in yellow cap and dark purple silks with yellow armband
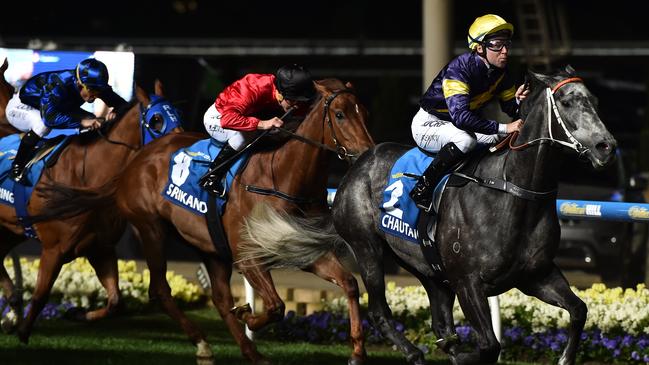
[449,122]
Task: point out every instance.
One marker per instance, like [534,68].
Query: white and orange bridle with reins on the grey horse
[572,142]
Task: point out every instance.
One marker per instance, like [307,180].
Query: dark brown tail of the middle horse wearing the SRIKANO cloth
[65,202]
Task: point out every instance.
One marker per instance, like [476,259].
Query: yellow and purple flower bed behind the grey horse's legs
[616,331]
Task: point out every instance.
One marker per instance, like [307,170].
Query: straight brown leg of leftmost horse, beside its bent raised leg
[48,271]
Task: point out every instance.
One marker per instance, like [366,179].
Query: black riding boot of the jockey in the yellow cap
[446,159]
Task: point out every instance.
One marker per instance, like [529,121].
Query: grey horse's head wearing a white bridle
[571,113]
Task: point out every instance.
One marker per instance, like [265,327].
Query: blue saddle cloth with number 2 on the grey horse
[399,213]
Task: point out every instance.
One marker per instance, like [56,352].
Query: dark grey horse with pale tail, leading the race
[489,240]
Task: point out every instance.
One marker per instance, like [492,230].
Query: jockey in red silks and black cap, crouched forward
[235,117]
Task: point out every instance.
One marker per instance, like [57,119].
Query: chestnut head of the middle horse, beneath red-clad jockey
[345,118]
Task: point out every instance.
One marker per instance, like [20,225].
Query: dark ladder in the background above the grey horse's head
[544,32]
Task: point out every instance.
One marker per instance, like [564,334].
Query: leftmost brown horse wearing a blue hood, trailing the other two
[86,162]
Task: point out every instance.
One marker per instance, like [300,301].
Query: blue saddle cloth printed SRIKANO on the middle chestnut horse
[186,167]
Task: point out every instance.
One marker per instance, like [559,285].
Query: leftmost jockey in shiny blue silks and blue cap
[53,100]
